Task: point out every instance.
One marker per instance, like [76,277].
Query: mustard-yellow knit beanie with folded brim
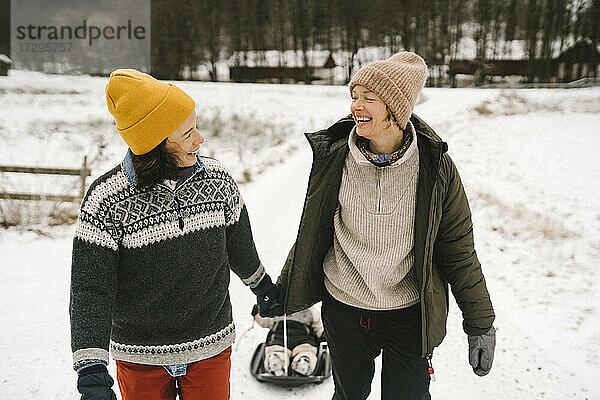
[146,111]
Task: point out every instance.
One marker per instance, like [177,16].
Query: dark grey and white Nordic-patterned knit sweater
[151,267]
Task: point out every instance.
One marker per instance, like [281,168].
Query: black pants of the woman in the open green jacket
[355,337]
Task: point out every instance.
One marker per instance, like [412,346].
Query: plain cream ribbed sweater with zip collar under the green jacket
[370,264]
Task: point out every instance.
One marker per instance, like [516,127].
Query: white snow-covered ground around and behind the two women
[527,159]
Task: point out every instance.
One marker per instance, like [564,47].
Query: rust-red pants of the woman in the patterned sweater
[206,379]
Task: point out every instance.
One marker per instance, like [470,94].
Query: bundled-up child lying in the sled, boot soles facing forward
[304,331]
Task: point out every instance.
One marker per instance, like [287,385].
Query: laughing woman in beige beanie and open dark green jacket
[386,227]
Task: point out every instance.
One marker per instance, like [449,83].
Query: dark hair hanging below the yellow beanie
[154,166]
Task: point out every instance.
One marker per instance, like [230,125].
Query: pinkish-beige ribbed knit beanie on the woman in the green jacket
[397,80]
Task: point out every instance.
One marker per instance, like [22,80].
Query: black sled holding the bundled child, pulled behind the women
[322,370]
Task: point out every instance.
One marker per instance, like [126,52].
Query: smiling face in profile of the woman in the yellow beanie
[185,142]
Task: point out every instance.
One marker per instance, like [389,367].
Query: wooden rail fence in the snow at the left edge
[83,173]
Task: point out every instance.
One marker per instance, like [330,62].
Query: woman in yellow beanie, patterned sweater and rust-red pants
[155,241]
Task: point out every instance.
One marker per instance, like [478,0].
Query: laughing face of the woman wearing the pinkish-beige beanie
[369,112]
